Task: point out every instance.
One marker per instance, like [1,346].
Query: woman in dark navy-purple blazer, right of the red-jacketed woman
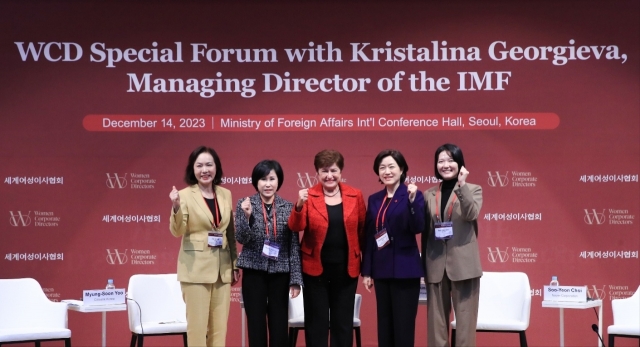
[395,215]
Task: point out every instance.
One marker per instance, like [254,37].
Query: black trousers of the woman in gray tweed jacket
[266,302]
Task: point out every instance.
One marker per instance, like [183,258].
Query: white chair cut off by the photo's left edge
[27,315]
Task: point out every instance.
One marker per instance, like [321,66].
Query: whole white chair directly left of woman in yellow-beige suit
[155,307]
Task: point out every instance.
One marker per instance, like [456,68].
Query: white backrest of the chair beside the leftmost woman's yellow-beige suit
[159,297]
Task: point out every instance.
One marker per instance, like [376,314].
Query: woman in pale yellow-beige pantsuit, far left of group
[202,216]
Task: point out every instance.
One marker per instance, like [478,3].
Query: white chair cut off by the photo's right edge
[626,318]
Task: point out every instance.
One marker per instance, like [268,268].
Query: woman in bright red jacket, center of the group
[332,216]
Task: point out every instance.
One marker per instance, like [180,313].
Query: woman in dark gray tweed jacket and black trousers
[270,257]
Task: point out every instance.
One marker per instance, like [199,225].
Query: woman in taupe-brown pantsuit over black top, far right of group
[451,251]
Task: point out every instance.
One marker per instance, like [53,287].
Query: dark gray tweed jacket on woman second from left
[252,238]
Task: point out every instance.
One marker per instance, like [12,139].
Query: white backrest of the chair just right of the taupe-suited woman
[505,295]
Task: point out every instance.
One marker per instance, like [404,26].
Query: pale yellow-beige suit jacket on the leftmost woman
[197,262]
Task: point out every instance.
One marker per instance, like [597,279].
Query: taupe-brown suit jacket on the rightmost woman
[459,255]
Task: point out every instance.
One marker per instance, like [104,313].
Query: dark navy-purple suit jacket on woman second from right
[403,221]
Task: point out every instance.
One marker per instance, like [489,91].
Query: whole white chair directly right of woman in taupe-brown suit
[505,305]
